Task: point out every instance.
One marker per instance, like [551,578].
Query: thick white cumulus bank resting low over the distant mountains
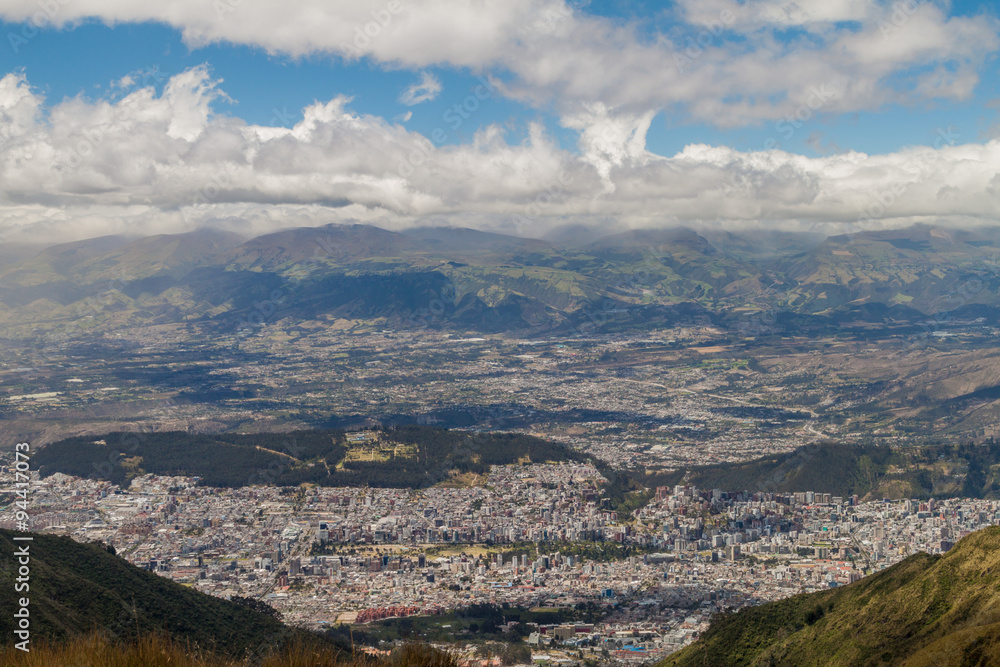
[151,163]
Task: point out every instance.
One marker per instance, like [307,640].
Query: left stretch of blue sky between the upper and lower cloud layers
[265,89]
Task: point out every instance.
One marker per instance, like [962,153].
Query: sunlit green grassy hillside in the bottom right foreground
[927,610]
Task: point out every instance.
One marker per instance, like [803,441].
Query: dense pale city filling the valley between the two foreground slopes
[531,537]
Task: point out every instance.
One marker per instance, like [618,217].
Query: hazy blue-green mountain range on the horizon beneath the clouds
[464,278]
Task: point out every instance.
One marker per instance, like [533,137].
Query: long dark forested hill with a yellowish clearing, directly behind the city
[399,457]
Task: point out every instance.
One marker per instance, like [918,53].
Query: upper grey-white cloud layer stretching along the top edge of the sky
[724,62]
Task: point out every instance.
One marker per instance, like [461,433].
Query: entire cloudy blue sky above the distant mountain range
[518,116]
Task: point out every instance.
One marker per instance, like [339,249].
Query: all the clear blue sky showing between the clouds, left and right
[273,89]
